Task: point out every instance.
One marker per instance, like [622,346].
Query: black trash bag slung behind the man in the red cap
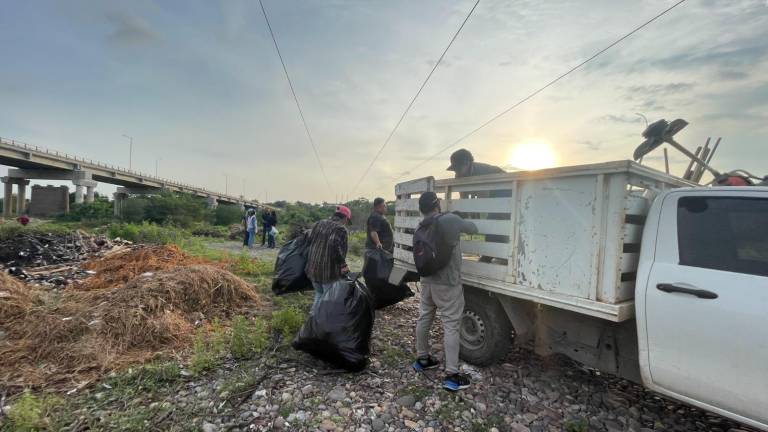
[289,267]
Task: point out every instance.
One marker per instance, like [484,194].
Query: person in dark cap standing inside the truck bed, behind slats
[463,165]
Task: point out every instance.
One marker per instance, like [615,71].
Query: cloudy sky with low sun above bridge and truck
[199,86]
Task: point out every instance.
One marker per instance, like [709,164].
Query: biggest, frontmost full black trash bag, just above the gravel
[339,326]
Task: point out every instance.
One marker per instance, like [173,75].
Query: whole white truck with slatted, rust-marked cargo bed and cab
[624,268]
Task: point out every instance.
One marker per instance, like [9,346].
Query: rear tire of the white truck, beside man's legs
[486,333]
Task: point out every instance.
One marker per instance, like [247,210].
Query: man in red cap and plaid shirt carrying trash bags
[327,254]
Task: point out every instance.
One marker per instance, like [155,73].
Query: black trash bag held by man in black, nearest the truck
[378,266]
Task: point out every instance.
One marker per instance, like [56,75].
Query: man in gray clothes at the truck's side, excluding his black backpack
[443,292]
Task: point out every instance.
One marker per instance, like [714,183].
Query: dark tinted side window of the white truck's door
[724,233]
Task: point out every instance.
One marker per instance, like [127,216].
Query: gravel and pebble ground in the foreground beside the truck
[524,393]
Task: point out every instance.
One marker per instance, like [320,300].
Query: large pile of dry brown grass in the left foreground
[78,336]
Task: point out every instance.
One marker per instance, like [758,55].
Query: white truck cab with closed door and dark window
[702,300]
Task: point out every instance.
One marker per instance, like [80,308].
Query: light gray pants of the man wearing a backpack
[449,301]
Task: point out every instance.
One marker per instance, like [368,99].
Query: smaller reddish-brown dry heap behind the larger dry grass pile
[119,268]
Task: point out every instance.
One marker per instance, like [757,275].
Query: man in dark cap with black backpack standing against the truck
[437,256]
